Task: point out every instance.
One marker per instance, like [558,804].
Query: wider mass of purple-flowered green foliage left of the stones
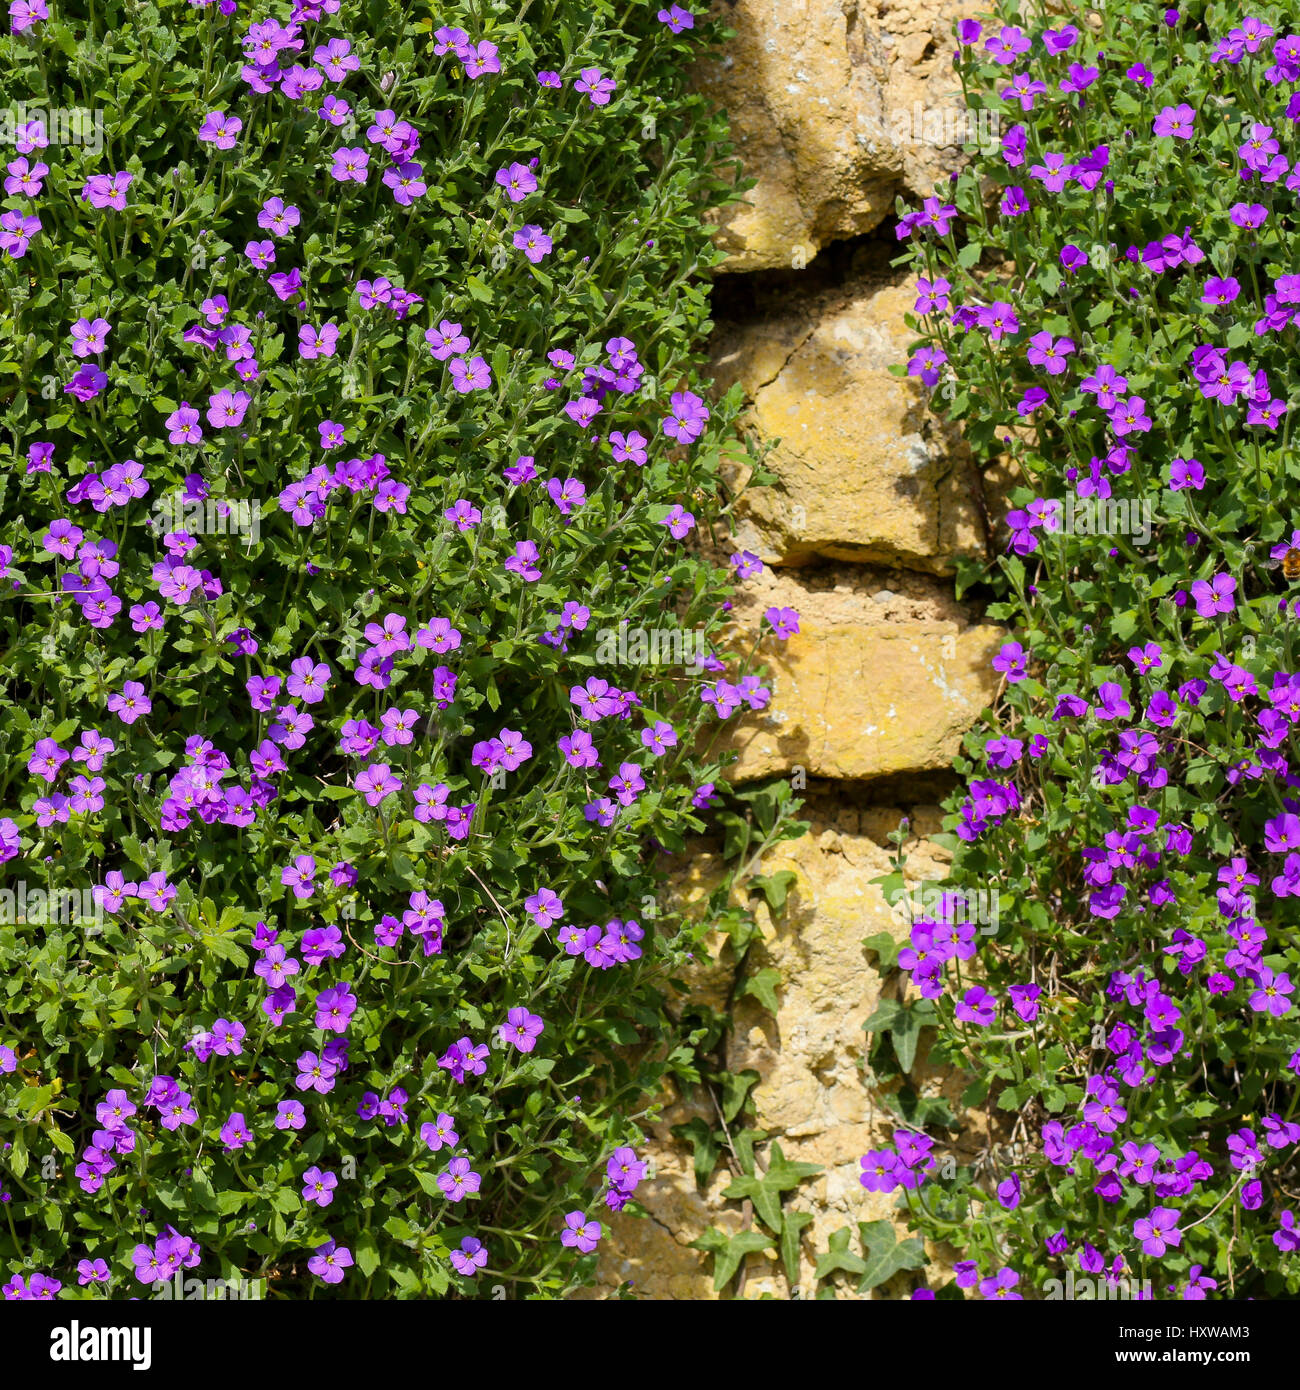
[350,390]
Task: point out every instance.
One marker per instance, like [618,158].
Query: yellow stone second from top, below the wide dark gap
[866,472]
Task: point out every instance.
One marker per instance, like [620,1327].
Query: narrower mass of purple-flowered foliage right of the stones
[1110,301]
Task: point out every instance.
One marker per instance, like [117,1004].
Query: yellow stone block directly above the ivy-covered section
[870,687]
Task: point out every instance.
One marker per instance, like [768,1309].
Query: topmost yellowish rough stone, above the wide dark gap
[836,106]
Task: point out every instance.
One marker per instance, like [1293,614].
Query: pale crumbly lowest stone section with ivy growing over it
[814,1096]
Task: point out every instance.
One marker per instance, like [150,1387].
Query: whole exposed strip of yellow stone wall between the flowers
[836,111]
